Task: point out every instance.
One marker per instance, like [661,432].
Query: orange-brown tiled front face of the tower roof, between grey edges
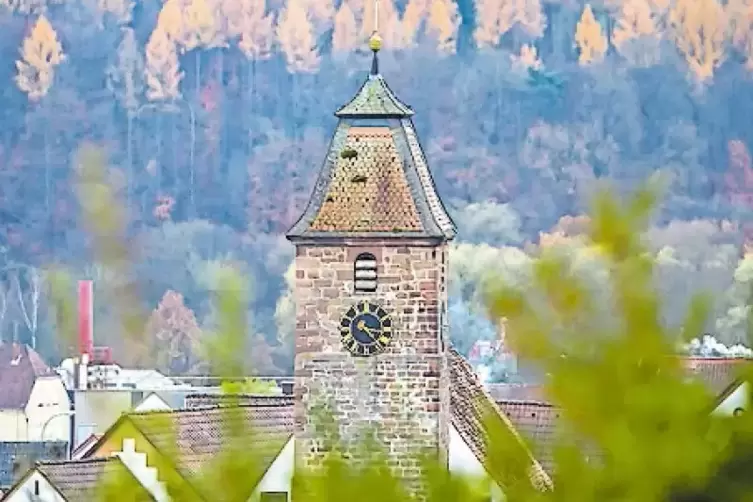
[369,191]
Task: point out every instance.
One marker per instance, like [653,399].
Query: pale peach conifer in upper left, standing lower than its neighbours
[162,70]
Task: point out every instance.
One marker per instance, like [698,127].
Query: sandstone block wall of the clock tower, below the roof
[405,390]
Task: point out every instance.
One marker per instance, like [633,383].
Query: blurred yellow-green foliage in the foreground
[634,428]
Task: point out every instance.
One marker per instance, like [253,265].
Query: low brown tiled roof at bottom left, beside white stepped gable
[80,480]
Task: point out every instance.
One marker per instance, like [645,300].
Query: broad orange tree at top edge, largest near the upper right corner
[699,29]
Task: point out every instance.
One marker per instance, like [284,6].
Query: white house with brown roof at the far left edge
[34,405]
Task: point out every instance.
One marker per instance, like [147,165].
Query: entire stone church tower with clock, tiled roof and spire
[371,336]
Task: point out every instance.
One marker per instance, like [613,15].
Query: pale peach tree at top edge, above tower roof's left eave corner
[295,34]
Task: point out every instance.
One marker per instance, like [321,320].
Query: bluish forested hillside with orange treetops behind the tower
[216,116]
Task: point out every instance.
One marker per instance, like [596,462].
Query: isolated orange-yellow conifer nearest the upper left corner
[40,54]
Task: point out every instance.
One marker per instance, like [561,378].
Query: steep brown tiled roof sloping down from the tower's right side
[471,407]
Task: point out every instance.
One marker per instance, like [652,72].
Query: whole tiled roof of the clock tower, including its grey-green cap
[375,181]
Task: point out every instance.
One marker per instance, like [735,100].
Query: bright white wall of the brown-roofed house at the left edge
[48,398]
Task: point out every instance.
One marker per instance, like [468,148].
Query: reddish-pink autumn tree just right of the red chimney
[175,334]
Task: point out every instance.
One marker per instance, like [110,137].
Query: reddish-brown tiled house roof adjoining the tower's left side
[199,434]
